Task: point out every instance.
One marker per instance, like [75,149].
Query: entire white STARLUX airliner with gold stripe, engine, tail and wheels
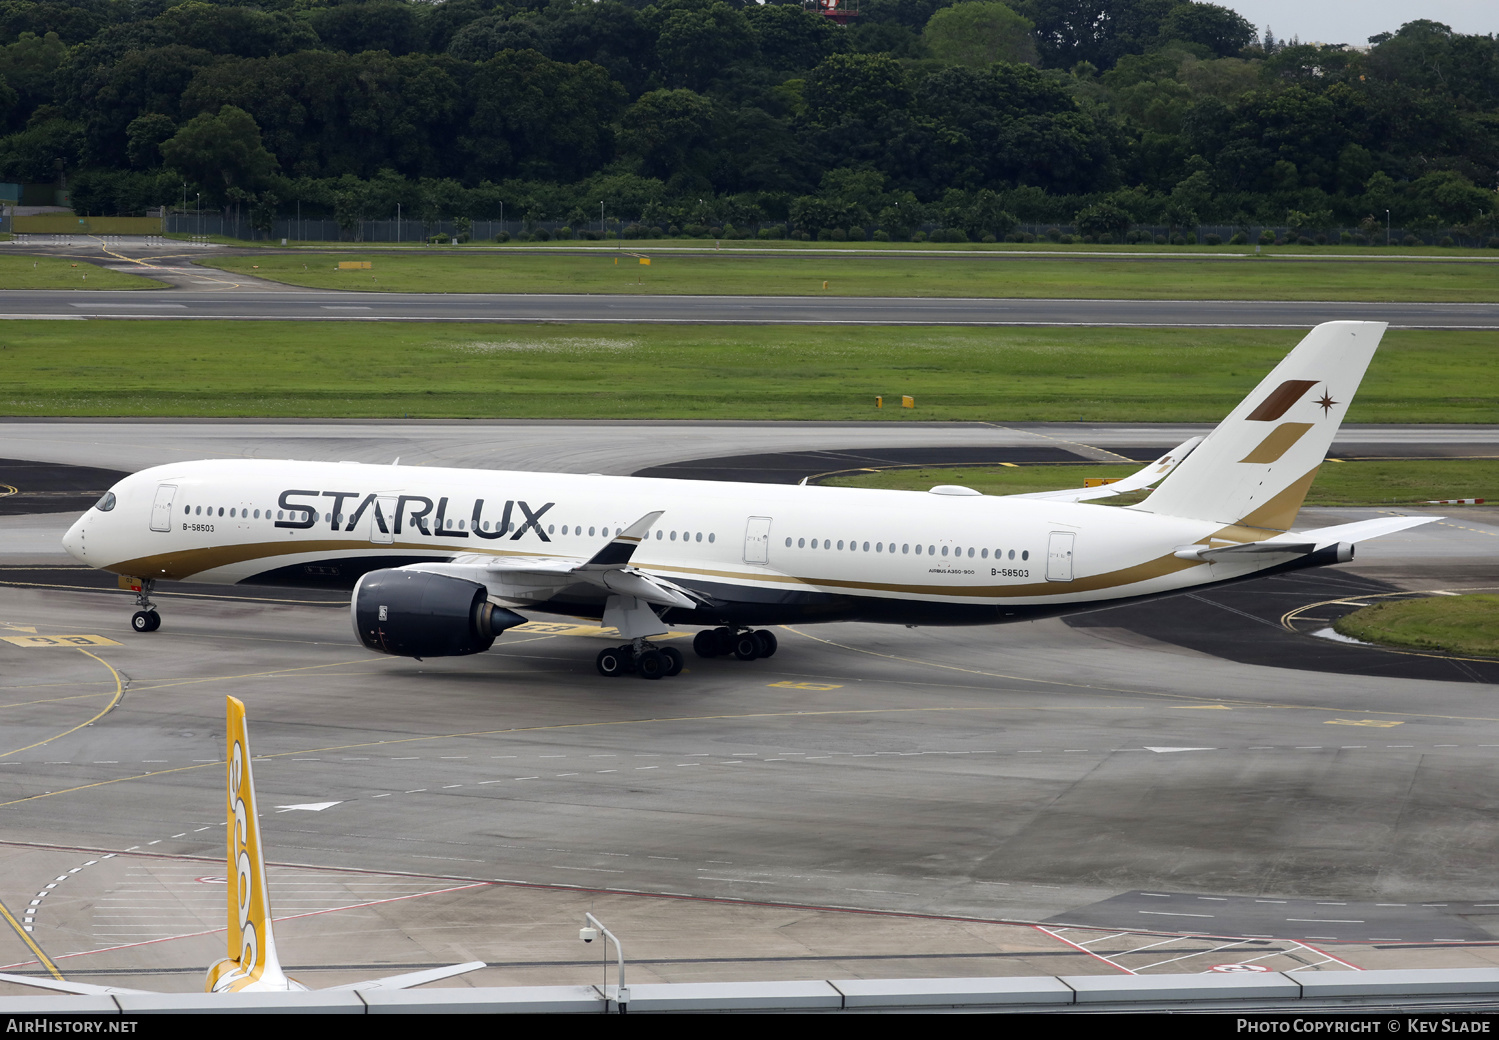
[440,561]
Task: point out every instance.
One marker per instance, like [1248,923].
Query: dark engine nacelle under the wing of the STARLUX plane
[420,615]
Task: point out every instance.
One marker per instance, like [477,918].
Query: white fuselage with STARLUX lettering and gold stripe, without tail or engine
[774,554]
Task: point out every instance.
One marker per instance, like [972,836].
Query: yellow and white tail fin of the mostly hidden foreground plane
[253,948]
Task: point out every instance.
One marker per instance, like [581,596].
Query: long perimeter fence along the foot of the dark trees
[310,230]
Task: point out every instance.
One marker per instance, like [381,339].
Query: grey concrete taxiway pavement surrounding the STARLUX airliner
[1119,792]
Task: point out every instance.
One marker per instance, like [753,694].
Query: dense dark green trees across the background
[971,116]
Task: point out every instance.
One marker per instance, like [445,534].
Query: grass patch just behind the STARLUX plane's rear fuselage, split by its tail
[1348,483]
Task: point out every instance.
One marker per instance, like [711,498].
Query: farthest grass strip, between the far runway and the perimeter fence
[744,273]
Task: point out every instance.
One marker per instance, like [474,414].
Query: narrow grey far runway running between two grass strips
[215,300]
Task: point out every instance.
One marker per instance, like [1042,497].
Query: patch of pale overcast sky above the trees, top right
[1354,22]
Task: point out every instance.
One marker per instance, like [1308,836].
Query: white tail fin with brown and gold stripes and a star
[1255,468]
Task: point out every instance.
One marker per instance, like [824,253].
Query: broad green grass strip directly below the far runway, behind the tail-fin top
[758,372]
